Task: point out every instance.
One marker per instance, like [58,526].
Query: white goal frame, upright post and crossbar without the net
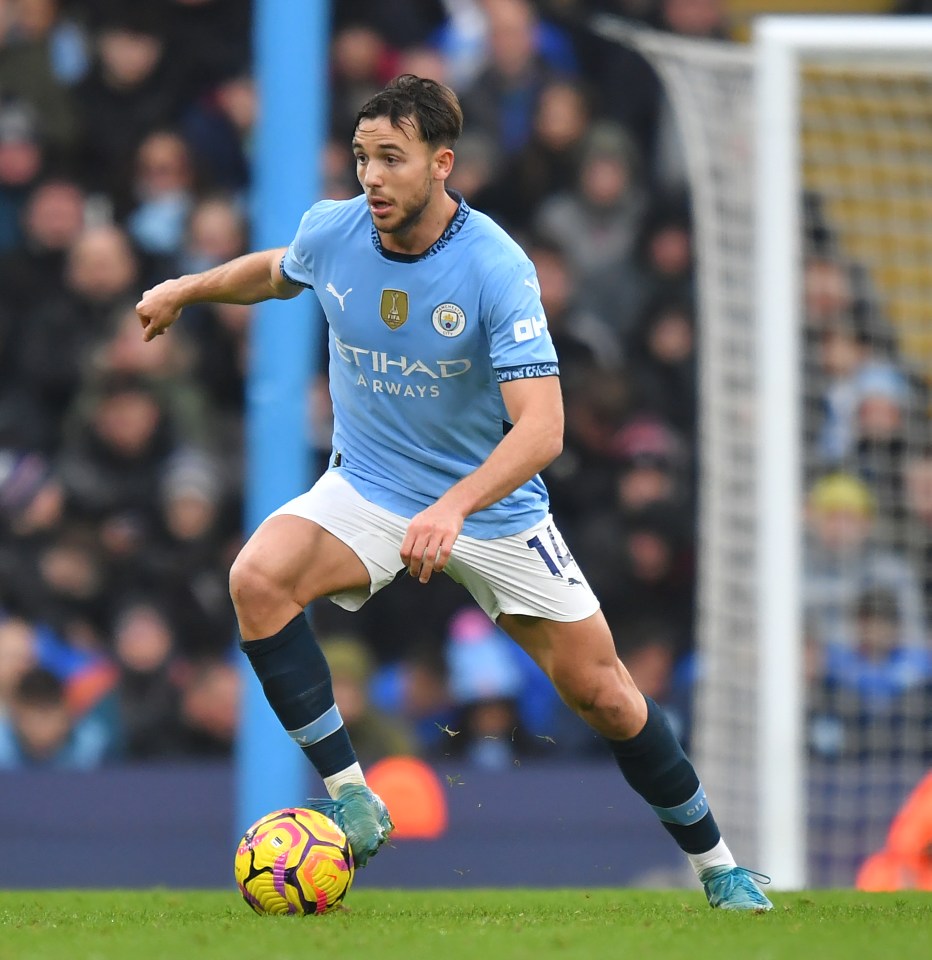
[779,45]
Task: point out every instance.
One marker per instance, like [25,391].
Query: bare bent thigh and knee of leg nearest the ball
[297,556]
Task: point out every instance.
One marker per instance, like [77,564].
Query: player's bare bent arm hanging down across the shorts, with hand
[535,408]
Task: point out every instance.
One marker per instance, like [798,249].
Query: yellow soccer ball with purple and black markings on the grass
[294,861]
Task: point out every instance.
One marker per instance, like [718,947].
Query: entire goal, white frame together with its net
[807,152]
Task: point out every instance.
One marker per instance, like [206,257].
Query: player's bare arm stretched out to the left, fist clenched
[251,278]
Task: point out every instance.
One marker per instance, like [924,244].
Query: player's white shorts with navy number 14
[529,573]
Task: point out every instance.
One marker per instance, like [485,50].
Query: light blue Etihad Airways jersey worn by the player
[418,348]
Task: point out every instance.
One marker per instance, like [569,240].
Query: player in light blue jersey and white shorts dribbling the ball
[447,404]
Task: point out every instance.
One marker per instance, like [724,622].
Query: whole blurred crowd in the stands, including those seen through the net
[125,138]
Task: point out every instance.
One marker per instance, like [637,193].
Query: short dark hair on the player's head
[434,107]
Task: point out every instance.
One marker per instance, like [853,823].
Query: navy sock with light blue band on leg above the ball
[296,680]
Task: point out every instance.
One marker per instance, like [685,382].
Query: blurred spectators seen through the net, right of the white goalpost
[868,550]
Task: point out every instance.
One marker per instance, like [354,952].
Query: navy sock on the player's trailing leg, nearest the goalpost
[654,764]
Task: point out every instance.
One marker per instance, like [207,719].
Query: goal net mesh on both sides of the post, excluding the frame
[866,265]
